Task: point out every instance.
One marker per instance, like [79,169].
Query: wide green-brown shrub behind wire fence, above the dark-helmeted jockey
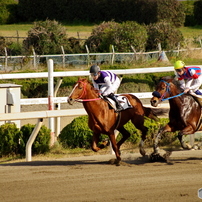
[121,36]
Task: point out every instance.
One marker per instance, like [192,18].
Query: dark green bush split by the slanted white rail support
[42,141]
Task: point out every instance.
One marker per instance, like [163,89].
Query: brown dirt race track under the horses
[92,178]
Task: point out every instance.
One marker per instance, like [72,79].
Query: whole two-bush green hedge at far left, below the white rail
[13,140]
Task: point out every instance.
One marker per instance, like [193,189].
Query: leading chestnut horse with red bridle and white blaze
[104,120]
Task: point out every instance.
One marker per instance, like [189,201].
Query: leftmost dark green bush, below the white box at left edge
[11,140]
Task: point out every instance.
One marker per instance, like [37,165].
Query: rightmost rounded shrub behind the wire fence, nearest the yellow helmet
[164,33]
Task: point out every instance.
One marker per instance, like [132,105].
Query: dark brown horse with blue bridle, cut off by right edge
[184,114]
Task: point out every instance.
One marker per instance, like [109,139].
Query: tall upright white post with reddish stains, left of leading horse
[50,99]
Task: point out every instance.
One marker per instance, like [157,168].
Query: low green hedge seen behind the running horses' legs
[77,133]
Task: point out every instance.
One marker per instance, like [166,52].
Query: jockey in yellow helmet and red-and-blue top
[190,78]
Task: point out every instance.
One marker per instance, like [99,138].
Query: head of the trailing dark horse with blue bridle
[163,90]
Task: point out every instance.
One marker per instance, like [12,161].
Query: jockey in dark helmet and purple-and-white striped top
[107,82]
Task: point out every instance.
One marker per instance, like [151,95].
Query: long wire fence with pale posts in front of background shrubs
[11,63]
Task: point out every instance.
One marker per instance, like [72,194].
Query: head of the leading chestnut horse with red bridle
[79,91]
